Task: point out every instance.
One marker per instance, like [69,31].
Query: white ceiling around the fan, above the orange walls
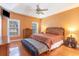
[29,8]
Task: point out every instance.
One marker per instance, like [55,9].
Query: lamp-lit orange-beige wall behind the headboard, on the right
[67,19]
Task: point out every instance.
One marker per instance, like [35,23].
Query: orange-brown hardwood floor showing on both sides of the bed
[61,51]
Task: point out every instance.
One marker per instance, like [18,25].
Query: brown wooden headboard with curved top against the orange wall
[55,30]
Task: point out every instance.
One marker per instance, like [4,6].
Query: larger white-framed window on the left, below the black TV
[13,27]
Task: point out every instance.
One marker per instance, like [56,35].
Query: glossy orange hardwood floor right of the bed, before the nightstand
[63,51]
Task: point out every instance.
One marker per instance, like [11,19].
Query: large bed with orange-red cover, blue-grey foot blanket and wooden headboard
[43,42]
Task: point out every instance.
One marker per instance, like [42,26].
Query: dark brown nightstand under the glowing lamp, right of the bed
[70,42]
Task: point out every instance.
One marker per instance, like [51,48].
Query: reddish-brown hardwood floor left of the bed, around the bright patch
[23,51]
